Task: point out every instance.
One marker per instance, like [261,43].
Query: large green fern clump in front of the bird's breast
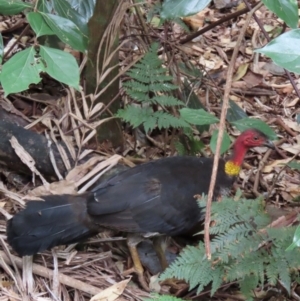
[245,250]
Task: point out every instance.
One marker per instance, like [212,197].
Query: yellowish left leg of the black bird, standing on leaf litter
[132,242]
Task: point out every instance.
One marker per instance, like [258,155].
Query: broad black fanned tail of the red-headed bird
[59,220]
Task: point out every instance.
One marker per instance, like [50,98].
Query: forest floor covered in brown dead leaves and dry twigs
[260,89]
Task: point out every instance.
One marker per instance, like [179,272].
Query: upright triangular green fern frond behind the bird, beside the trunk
[149,85]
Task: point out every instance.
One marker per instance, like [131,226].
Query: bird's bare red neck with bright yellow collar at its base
[234,163]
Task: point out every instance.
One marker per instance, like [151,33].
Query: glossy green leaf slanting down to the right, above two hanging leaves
[67,31]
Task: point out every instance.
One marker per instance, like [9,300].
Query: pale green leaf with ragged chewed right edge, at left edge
[21,70]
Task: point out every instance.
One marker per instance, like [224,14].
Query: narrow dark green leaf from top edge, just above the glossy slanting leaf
[65,10]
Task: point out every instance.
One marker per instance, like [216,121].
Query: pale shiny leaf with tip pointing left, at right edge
[284,50]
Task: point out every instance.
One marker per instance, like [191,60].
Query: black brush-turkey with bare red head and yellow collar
[157,197]
